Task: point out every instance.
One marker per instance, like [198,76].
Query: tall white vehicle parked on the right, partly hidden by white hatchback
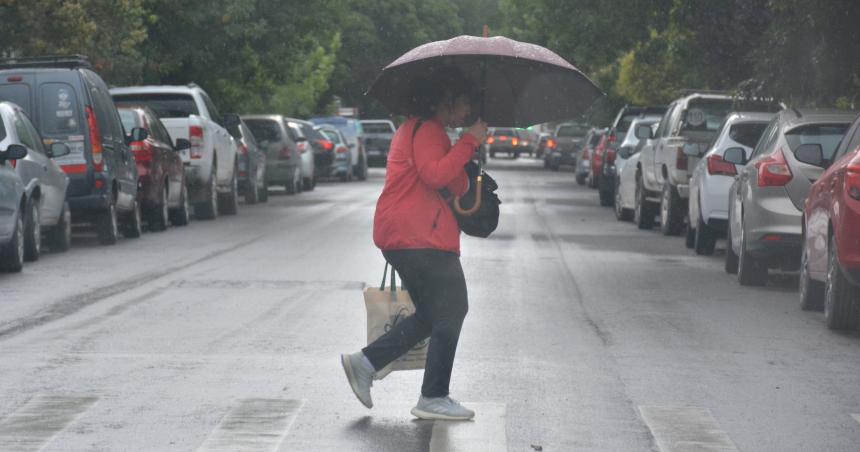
[686,128]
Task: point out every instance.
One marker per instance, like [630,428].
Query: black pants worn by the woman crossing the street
[437,287]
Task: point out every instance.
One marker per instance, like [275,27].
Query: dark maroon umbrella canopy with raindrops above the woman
[524,84]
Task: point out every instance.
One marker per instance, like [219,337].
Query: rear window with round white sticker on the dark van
[58,109]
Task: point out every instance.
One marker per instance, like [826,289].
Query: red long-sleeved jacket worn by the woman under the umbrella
[410,213]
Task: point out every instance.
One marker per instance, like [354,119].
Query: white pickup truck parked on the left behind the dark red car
[211,164]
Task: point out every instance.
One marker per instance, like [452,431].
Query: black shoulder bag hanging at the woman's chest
[477,211]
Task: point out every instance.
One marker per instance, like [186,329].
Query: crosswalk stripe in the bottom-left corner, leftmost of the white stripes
[36,422]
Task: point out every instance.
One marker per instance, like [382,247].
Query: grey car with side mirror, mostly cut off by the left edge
[13,205]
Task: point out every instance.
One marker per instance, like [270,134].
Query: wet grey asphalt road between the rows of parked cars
[584,334]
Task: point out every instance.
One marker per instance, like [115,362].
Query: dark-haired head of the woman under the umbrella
[445,94]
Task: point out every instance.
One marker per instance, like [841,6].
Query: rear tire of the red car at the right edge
[840,296]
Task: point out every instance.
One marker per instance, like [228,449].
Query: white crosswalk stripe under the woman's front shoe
[487,432]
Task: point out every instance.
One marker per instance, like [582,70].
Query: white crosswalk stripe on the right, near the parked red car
[686,429]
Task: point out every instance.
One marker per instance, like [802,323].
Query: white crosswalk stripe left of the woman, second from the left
[254,425]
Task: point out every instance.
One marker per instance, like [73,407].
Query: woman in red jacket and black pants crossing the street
[418,235]
